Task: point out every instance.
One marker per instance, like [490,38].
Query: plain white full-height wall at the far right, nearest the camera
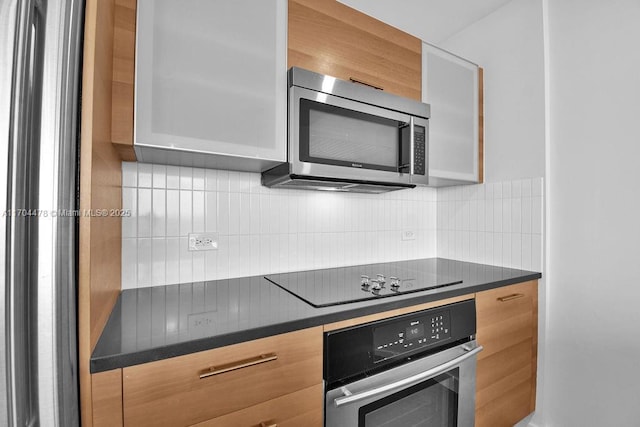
[593,339]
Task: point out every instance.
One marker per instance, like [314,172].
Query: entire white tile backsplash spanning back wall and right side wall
[263,231]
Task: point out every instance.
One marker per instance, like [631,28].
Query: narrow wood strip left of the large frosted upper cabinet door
[124,41]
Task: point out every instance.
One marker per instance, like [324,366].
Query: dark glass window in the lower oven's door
[432,403]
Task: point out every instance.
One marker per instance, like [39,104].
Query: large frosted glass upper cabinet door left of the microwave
[211,83]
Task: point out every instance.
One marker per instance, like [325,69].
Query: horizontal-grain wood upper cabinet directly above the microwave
[331,38]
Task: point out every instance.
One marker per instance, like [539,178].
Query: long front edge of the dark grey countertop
[106,363]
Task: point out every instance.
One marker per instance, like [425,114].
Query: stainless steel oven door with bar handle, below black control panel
[434,391]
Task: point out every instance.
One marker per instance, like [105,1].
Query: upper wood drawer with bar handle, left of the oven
[190,389]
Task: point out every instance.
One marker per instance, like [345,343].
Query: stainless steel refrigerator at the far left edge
[40,61]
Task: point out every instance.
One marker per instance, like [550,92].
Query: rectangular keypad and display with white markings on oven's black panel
[410,334]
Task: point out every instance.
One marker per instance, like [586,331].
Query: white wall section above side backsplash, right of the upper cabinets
[508,45]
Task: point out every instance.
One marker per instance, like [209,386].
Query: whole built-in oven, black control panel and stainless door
[417,369]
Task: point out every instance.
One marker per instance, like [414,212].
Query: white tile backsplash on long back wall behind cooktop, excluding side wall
[261,230]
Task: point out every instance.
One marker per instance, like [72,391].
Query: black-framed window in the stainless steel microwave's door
[338,136]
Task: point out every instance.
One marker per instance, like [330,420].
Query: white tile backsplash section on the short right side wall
[508,219]
